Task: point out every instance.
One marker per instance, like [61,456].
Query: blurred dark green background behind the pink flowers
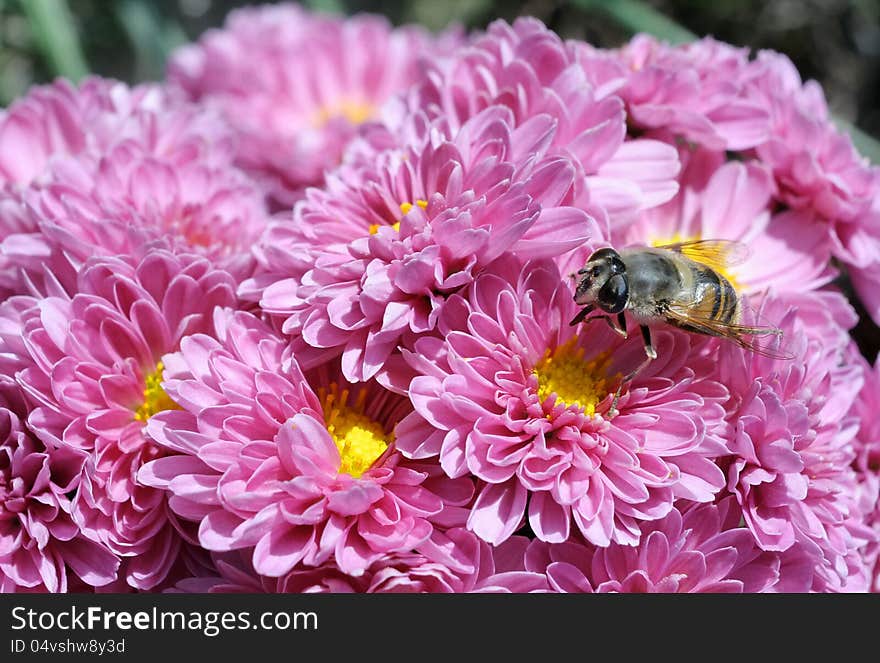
[834,42]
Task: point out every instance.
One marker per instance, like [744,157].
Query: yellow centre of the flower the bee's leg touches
[575,381]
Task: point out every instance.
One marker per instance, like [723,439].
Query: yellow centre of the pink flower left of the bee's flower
[360,440]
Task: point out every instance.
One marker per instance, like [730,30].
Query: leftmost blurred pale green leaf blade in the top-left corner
[56,35]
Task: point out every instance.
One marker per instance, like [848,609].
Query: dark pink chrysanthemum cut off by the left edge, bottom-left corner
[40,544]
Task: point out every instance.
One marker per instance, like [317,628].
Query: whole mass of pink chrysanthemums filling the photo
[298,319]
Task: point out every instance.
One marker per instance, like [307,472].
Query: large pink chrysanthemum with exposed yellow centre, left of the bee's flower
[302,474]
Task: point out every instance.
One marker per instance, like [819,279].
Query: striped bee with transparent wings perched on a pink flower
[677,284]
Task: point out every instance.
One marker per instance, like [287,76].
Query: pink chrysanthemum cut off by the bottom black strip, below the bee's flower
[703,549]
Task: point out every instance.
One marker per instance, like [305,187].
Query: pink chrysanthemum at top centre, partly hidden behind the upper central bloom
[529,69]
